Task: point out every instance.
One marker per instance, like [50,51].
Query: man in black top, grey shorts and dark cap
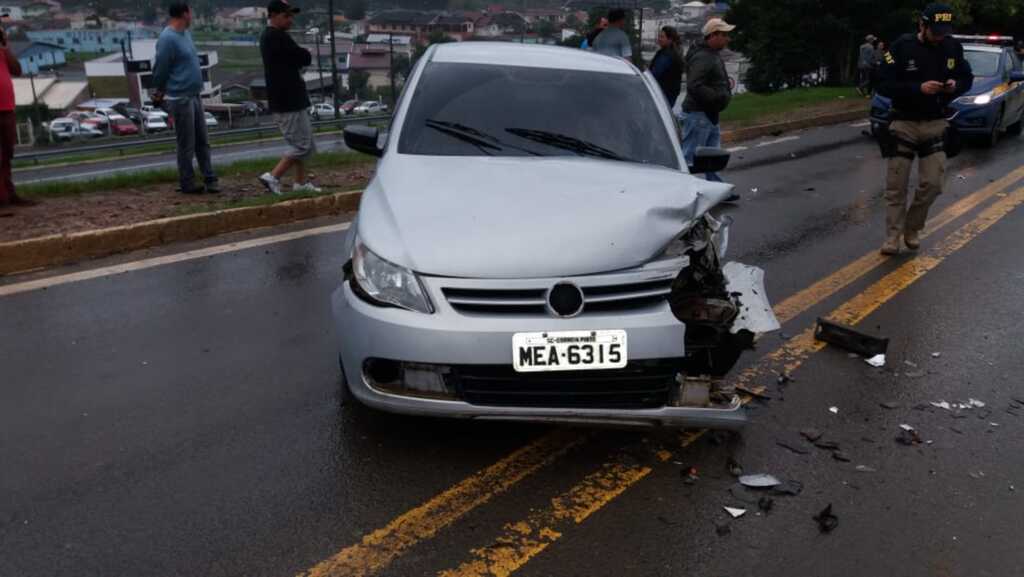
[283,61]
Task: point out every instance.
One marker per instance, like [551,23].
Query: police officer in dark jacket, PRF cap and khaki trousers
[922,73]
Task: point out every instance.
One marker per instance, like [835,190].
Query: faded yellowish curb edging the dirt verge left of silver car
[54,251]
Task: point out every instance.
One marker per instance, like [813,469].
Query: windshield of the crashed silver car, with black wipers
[483,110]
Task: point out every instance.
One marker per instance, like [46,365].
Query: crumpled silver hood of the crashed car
[527,218]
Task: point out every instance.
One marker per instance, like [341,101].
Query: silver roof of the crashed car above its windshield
[532,56]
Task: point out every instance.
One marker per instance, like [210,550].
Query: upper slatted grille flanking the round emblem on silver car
[603,299]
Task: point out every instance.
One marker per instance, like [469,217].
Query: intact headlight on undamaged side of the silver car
[389,283]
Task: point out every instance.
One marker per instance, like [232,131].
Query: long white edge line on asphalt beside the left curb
[38,284]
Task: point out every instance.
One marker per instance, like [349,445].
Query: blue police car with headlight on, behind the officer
[995,104]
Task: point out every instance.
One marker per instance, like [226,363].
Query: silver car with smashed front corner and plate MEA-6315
[533,248]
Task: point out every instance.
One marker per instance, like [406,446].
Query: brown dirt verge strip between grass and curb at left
[126,207]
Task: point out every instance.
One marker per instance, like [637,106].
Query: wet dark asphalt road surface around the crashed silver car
[184,420]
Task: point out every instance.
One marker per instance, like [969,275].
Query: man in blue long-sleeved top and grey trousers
[178,81]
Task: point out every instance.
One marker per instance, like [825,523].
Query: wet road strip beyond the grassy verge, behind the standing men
[221,155]
